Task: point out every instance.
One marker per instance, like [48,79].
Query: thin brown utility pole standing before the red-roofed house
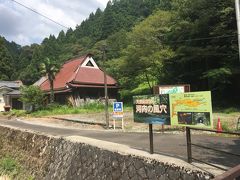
[105,89]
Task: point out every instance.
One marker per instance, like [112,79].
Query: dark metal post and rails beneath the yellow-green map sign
[190,144]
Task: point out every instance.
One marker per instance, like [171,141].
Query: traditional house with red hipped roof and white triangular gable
[79,80]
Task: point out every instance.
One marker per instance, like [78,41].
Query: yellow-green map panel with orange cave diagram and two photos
[191,109]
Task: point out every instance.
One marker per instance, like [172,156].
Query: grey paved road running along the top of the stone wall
[167,144]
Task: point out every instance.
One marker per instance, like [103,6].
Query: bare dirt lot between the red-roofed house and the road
[228,121]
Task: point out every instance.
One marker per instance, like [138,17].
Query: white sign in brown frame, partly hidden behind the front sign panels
[171,89]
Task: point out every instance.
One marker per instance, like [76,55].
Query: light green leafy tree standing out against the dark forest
[146,53]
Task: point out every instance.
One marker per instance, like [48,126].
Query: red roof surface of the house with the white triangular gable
[73,72]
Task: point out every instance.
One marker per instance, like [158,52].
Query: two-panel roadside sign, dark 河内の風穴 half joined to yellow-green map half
[191,109]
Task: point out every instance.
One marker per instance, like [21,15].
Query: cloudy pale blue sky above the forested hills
[24,27]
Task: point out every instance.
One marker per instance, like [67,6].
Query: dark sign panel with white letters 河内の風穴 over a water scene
[152,109]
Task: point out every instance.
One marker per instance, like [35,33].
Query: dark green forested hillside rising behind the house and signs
[147,42]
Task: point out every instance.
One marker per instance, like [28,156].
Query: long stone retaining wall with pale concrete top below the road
[77,157]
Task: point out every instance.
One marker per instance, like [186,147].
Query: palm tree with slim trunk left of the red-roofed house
[50,68]
